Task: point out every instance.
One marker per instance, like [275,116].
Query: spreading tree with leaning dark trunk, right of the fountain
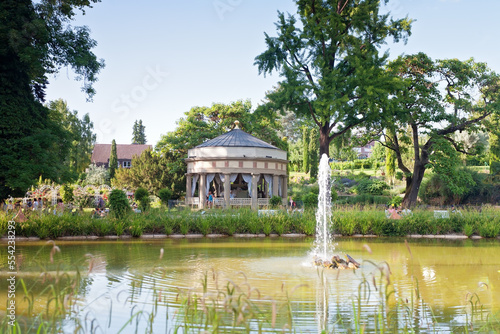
[435,100]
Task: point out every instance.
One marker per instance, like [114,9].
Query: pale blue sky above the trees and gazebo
[164,57]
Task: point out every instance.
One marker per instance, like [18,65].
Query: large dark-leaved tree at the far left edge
[37,40]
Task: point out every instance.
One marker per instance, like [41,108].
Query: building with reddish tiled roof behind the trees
[124,152]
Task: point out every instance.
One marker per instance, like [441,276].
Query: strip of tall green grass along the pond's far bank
[346,220]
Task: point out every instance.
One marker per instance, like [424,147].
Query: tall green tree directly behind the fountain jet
[330,63]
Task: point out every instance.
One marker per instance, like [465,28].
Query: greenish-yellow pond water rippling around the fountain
[120,278]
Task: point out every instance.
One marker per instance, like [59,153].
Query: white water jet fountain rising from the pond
[323,247]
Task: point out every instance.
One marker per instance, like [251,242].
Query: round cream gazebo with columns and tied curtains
[239,169]
